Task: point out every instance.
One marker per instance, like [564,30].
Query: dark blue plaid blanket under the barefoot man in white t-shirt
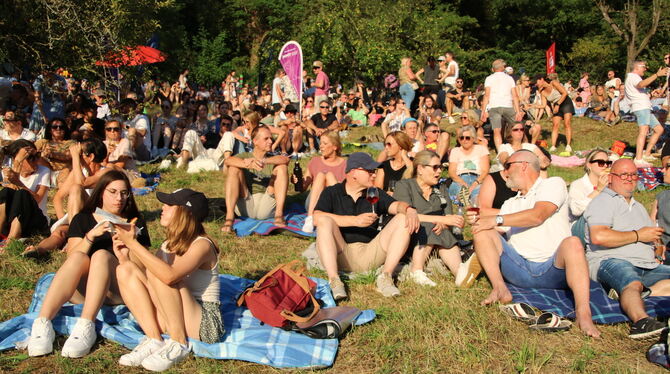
[604,309]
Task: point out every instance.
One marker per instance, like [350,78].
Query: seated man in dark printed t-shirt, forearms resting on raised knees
[257,182]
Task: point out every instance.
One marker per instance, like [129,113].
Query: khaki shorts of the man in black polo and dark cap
[361,257]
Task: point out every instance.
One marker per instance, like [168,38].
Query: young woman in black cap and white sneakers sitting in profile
[177,289]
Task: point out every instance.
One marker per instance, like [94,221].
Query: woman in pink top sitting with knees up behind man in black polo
[322,172]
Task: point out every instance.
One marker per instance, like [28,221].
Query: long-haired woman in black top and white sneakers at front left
[90,252]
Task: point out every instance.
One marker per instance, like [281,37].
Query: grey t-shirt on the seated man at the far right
[611,209]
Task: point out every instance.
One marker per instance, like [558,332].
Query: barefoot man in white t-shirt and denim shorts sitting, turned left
[538,251]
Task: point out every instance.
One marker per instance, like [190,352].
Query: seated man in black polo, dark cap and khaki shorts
[347,238]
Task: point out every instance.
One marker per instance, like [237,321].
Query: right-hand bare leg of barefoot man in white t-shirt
[570,256]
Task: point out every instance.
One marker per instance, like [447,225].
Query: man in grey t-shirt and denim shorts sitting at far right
[620,249]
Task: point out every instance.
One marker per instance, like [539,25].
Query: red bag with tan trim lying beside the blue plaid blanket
[282,296]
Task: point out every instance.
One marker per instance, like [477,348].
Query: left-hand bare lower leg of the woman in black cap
[135,293]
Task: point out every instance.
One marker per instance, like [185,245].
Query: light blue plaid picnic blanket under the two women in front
[245,339]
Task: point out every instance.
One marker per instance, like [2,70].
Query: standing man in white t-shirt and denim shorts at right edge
[641,105]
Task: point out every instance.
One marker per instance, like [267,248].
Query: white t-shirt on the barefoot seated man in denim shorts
[539,243]
